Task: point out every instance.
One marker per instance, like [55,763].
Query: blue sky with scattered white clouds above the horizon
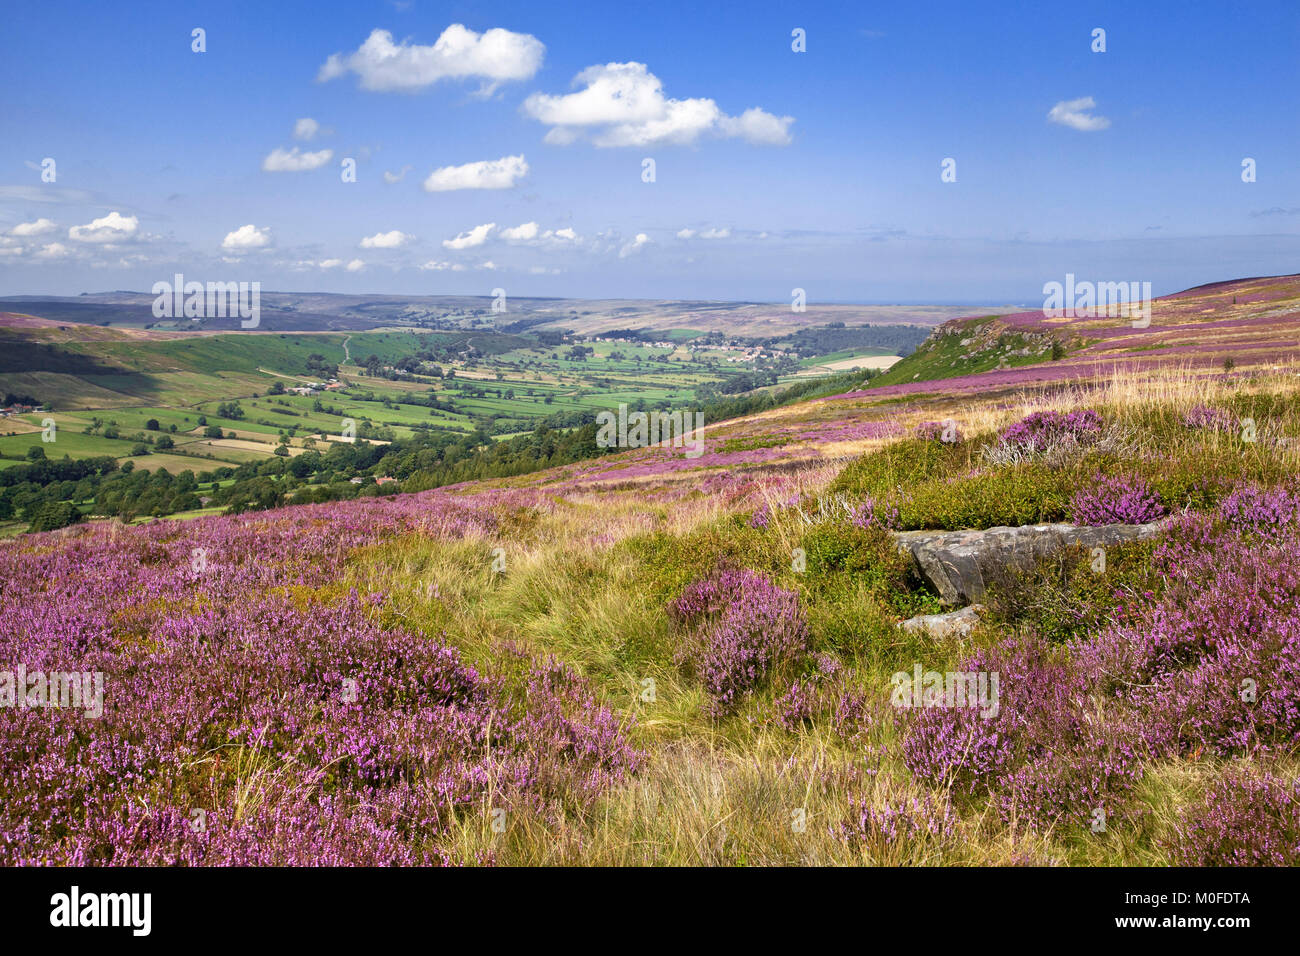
[774,168]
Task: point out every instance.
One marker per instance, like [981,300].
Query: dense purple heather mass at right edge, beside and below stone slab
[1215,664]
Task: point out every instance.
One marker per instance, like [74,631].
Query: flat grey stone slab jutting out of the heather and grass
[959,565]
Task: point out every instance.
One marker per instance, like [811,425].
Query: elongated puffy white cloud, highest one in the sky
[495,57]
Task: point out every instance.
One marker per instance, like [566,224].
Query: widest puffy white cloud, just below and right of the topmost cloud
[623,105]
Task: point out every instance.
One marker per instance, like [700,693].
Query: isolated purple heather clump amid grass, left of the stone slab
[746,628]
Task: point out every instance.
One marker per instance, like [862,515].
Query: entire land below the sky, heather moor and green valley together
[649,657]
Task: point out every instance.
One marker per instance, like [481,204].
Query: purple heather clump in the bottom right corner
[1243,821]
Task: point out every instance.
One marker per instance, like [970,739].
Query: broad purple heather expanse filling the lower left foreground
[241,682]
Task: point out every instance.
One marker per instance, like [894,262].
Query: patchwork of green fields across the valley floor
[393,384]
